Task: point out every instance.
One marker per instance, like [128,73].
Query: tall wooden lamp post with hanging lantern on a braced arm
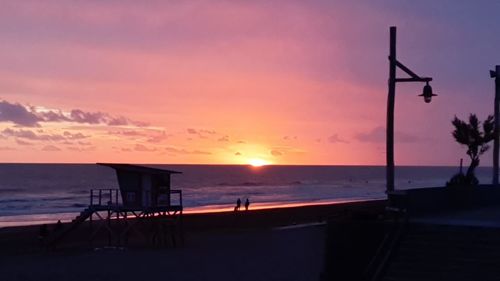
[427,94]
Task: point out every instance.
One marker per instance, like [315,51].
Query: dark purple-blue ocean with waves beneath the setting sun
[40,193]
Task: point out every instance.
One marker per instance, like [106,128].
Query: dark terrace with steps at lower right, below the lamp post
[425,234]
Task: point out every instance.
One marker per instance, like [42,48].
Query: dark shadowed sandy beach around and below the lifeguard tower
[271,244]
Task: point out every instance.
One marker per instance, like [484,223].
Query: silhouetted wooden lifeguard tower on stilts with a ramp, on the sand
[144,194]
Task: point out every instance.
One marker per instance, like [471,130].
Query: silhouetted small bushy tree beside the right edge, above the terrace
[476,141]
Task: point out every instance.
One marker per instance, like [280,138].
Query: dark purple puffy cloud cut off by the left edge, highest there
[17,114]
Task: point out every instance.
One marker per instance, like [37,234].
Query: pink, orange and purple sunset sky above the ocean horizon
[238,82]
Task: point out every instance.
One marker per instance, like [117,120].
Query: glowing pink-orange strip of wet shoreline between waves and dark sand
[51,218]
